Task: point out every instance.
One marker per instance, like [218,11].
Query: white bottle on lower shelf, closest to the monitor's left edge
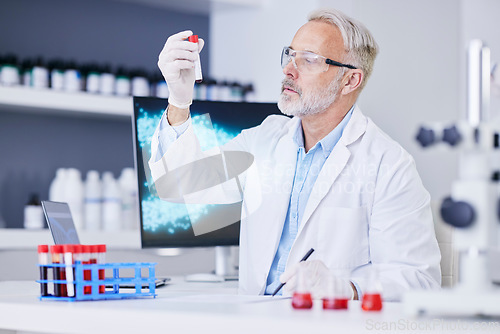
[128,186]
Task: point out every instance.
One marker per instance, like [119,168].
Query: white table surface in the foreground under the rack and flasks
[182,307]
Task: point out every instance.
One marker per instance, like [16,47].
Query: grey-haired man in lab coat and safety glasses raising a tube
[353,194]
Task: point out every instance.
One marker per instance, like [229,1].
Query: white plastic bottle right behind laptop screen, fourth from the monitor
[73,193]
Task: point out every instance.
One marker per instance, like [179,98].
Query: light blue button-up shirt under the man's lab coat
[307,170]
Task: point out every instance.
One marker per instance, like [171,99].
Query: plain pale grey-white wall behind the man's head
[418,76]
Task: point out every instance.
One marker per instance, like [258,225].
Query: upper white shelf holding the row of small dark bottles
[47,101]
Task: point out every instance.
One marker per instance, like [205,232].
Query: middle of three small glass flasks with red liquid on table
[337,293]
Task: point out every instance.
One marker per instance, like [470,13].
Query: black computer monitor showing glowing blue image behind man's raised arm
[169,225]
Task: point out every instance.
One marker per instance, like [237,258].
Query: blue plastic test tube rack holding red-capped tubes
[80,284]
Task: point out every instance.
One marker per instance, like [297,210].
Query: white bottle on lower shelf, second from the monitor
[111,204]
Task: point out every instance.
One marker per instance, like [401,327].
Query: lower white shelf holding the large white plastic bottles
[21,239]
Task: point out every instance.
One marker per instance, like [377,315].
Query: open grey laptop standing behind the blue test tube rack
[63,230]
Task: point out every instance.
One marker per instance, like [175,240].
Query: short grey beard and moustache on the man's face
[308,104]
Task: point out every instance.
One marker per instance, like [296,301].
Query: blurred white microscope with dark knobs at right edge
[473,208]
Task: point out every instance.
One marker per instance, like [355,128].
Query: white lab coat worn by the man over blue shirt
[367,208]
